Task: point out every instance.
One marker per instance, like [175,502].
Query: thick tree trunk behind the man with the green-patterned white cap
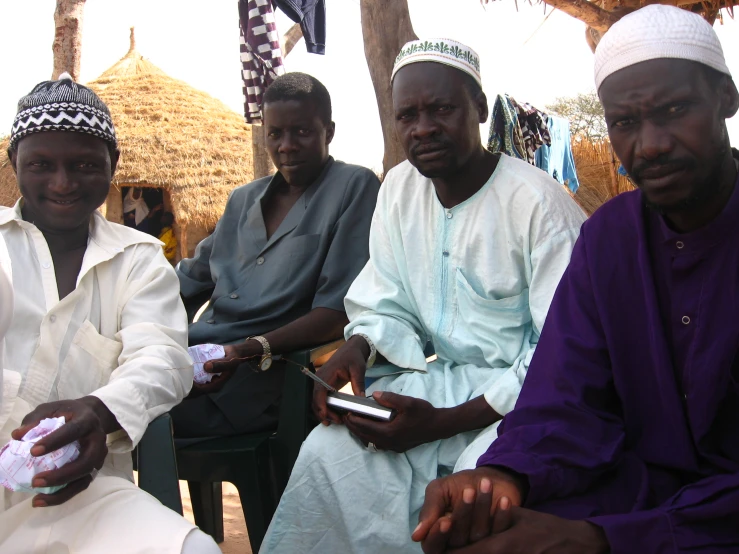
[386,27]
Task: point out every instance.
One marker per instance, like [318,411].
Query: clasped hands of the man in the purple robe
[478,512]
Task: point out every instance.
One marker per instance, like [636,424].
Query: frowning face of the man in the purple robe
[666,122]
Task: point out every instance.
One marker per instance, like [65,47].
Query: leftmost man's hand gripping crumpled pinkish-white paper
[87,421]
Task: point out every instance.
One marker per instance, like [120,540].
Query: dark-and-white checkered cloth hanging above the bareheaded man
[261,56]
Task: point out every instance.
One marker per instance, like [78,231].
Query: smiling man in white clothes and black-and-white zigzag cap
[98,336]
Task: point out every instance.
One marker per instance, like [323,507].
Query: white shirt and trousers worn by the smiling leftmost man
[121,335]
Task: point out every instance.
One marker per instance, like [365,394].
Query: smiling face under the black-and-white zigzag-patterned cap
[63,177]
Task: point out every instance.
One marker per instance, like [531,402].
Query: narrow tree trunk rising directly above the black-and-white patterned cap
[67,45]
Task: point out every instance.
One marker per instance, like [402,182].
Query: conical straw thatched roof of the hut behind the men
[171,136]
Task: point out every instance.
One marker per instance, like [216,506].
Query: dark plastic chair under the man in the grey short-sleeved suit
[258,464]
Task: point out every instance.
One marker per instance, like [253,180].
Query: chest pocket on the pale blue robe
[499,327]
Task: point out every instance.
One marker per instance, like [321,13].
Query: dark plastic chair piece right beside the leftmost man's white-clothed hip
[157,464]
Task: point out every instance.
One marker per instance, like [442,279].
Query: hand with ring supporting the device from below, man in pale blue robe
[415,423]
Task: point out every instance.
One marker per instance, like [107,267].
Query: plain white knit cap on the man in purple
[654,32]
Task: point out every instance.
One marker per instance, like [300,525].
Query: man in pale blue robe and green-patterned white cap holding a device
[466,250]
